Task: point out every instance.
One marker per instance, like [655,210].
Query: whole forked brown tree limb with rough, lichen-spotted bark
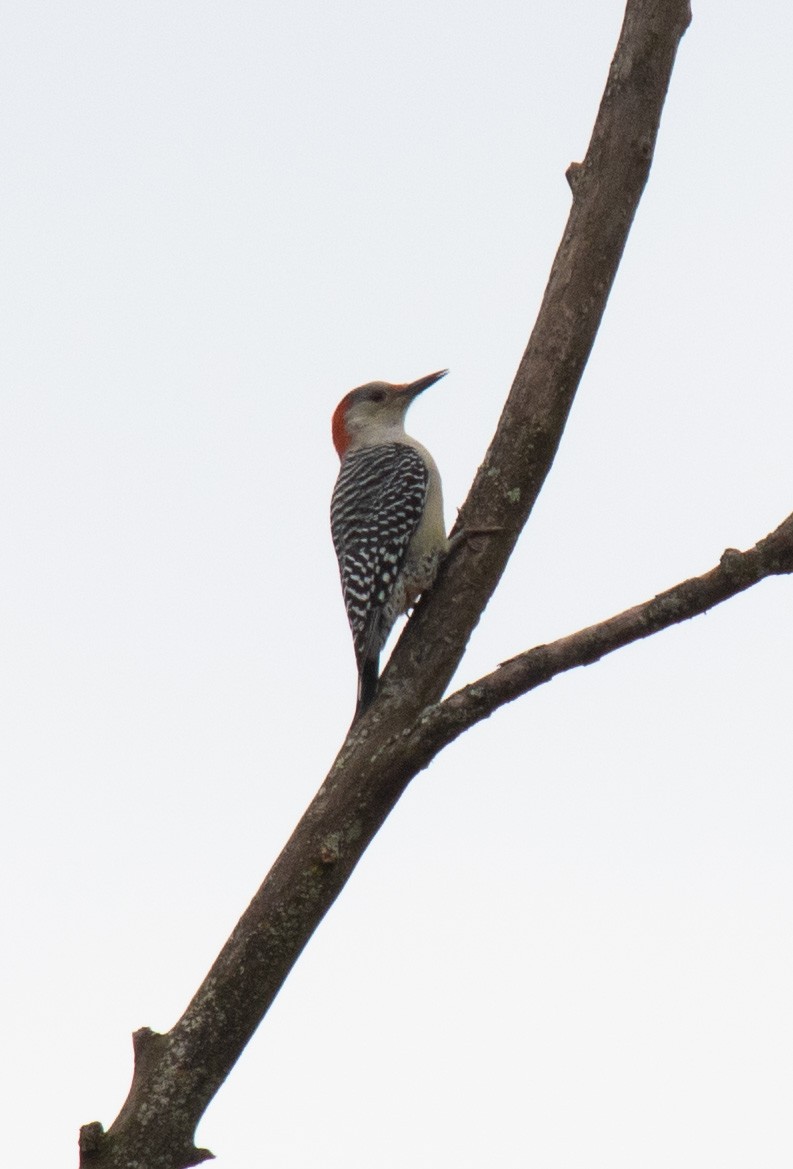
[177,1075]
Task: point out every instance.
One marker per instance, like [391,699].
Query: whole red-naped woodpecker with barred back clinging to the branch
[387,517]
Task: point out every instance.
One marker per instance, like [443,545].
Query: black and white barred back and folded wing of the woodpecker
[377,506]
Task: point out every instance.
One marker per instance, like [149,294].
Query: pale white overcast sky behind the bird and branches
[571,945]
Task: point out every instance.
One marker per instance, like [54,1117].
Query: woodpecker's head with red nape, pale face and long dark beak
[375,413]
